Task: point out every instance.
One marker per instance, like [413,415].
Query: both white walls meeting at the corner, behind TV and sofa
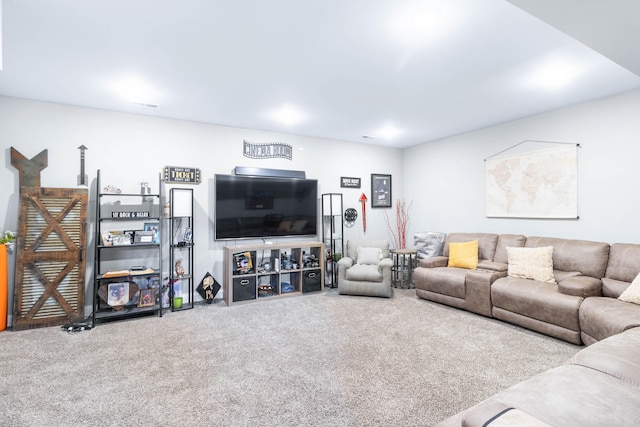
[444,180]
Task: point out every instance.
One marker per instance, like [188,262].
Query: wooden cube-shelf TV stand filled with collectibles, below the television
[272,270]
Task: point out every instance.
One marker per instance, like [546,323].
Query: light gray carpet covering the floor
[316,360]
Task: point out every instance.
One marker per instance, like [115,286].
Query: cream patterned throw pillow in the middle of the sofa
[531,263]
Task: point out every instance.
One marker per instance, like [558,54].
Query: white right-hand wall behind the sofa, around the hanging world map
[445,179]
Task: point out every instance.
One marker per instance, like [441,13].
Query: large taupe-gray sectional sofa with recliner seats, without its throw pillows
[581,307]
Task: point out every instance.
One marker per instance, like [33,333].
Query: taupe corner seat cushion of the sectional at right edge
[602,317]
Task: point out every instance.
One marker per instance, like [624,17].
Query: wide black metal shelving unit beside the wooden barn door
[118,216]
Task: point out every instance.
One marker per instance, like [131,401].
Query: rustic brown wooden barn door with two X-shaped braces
[50,266]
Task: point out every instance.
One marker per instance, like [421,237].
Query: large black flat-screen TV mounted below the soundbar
[258,207]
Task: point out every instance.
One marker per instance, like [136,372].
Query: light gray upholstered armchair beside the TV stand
[366,269]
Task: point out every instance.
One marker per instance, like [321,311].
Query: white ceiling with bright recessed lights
[346,65]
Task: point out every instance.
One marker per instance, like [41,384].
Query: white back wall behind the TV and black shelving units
[131,148]
